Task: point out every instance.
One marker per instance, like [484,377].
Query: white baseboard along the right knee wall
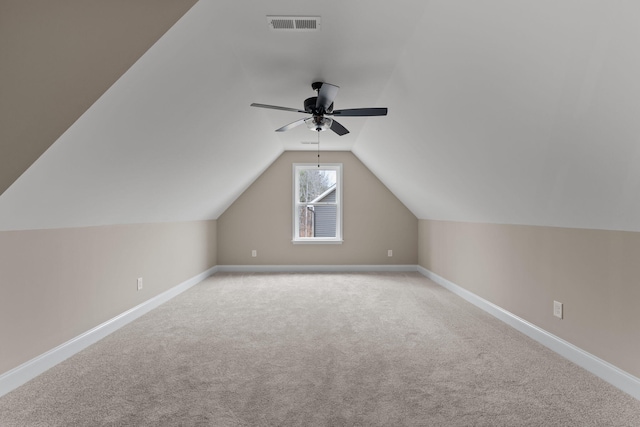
[608,372]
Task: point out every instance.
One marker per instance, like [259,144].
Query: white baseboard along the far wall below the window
[314,268]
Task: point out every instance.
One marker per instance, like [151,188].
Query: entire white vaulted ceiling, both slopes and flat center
[499,111]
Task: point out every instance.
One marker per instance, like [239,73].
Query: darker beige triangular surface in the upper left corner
[58,57]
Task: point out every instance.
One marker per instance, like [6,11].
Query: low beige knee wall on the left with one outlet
[57,284]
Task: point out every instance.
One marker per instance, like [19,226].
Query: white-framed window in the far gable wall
[317,200]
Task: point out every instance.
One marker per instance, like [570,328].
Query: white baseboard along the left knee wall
[34,367]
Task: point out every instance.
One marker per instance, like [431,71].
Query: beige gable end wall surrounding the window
[374,220]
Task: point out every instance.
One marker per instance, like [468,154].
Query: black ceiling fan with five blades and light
[322,105]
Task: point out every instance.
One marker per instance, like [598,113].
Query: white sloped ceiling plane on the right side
[520,112]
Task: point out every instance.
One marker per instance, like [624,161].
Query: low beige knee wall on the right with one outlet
[523,269]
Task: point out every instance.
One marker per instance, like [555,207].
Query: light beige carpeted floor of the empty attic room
[375,349]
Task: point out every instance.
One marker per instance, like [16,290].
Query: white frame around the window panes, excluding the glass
[296,204]
